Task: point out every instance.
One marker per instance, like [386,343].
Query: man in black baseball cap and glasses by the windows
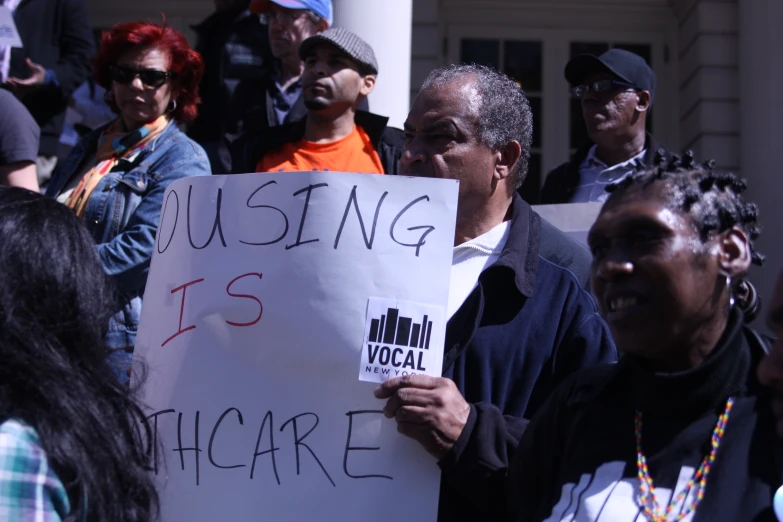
[616,90]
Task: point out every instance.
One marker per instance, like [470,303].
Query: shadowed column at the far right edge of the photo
[761,134]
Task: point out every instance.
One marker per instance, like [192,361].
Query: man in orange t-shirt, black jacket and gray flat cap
[339,73]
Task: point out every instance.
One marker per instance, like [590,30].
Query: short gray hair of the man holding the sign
[504,111]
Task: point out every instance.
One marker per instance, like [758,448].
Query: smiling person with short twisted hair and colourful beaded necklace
[680,428]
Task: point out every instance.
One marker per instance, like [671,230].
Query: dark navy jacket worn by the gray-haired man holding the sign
[528,325]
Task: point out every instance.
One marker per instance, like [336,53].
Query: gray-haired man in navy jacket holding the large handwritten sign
[521,321]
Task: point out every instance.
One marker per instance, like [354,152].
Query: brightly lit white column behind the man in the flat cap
[386,26]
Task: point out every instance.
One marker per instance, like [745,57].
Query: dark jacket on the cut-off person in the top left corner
[56,35]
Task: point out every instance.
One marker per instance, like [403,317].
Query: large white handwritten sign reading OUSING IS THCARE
[252,329]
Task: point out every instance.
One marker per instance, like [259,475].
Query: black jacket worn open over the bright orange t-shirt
[248,149]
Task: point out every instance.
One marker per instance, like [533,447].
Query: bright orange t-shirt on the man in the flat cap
[353,153]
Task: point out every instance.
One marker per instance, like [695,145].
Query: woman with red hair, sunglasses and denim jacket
[115,178]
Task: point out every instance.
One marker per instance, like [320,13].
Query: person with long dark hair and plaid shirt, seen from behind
[72,440]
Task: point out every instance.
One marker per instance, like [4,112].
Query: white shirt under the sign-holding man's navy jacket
[470,259]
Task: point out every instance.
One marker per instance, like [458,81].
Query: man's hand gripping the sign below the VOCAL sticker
[430,410]
